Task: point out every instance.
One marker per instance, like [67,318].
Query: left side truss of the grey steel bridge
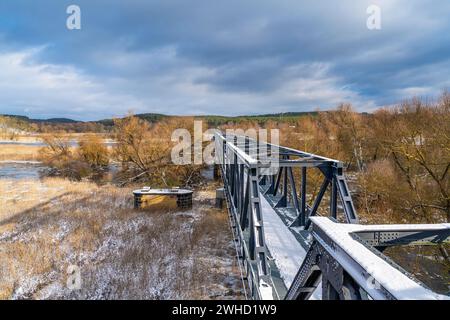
[241,180]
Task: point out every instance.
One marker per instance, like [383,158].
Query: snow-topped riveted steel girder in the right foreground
[349,268]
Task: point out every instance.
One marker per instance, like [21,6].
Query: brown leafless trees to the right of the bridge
[399,156]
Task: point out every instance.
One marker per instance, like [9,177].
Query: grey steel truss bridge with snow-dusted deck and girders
[288,251]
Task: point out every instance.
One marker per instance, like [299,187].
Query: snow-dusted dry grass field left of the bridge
[122,253]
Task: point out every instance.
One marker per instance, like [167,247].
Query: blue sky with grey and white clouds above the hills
[233,57]
